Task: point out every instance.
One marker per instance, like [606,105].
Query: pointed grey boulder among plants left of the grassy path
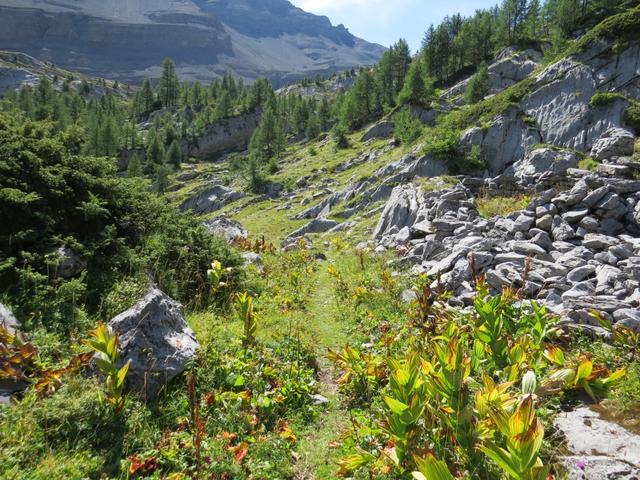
[155,338]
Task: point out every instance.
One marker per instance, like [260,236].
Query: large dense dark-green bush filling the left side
[50,198]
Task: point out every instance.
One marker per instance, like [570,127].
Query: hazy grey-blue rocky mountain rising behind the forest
[128,40]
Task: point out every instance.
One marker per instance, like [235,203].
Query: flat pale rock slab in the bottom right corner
[600,450]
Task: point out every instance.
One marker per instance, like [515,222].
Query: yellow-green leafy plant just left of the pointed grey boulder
[107,358]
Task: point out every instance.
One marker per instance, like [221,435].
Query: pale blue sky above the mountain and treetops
[384,21]
